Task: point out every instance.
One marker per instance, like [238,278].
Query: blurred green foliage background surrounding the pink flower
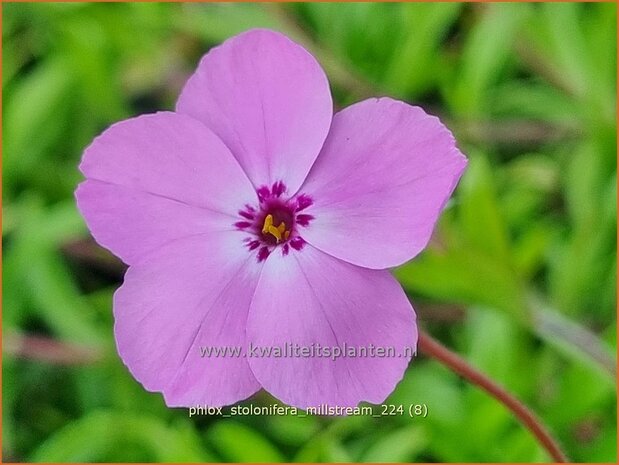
[520,278]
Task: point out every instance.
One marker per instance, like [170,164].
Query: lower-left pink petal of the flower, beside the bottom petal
[192,292]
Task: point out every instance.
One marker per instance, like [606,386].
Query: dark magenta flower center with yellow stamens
[276,222]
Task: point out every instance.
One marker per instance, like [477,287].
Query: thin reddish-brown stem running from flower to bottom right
[434,349]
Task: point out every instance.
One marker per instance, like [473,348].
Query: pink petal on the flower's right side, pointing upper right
[382,178]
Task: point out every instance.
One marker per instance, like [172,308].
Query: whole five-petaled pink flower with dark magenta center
[252,214]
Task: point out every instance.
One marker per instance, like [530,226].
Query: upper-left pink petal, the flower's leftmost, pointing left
[156,178]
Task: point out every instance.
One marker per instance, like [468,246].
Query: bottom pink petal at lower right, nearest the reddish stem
[309,297]
